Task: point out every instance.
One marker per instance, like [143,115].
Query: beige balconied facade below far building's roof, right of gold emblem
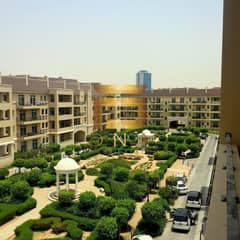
[192,111]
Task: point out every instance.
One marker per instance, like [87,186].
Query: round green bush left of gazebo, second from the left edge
[20,190]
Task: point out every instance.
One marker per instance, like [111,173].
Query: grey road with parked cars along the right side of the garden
[199,180]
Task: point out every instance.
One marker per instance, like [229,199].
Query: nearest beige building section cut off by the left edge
[7,125]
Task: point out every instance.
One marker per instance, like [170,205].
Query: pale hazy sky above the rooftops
[108,41]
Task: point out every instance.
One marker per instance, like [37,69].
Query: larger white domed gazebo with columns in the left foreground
[67,166]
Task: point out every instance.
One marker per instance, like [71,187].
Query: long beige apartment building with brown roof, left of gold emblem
[50,110]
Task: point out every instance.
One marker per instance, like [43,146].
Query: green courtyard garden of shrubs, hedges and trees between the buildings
[106,217]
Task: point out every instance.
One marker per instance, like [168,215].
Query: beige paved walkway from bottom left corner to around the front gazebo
[41,194]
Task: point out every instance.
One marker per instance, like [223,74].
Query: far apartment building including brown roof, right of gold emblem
[184,106]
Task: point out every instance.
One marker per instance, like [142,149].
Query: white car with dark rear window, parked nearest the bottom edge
[183,218]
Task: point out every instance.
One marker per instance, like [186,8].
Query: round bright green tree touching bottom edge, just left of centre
[107,228]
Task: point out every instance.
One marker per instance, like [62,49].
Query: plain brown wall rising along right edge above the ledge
[230,114]
